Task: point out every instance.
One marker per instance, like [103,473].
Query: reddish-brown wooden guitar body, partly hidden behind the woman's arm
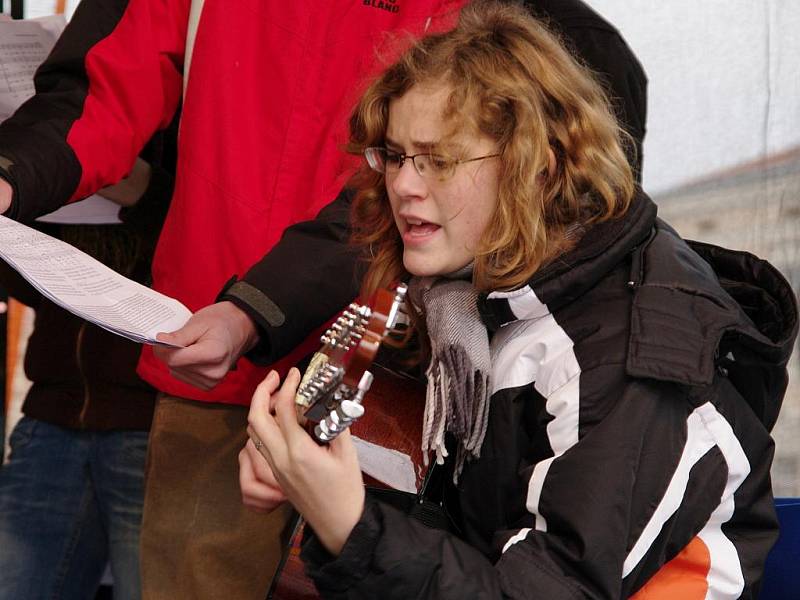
[393,420]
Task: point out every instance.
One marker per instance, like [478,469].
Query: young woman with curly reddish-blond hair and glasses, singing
[599,391]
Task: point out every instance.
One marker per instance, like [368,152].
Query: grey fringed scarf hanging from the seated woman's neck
[457,399]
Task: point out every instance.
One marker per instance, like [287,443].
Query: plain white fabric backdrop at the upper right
[724,81]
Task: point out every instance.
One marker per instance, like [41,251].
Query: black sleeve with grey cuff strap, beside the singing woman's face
[307,277]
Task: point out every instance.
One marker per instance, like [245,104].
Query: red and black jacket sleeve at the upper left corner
[113,78]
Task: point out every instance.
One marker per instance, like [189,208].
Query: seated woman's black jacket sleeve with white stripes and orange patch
[645,498]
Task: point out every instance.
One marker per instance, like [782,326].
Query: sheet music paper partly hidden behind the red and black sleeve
[23,47]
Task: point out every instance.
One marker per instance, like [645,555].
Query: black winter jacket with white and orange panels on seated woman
[635,382]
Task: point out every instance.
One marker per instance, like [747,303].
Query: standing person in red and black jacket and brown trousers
[265,88]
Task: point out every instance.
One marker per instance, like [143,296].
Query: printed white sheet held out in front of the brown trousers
[87,288]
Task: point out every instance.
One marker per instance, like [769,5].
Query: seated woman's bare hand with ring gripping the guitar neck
[323,482]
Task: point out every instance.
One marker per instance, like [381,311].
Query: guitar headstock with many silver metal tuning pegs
[338,376]
